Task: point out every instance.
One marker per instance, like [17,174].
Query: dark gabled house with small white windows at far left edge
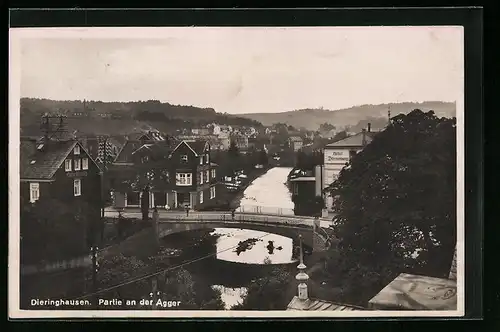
[58,169]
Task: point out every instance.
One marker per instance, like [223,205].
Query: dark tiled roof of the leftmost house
[43,164]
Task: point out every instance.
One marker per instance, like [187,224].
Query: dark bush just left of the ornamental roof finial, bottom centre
[269,293]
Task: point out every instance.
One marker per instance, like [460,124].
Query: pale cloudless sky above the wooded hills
[245,70]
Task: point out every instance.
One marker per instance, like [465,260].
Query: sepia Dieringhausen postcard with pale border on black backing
[236,172]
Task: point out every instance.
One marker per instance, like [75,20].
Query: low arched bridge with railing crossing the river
[312,234]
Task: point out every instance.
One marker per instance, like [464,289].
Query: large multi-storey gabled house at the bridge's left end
[189,178]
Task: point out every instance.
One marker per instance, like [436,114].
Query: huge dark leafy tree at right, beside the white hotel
[396,204]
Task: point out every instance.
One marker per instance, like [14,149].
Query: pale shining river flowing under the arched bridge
[241,255]
